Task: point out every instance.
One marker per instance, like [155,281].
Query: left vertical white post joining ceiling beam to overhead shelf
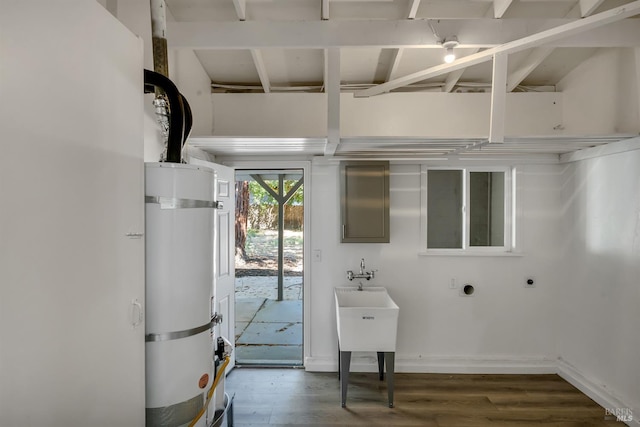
[332,88]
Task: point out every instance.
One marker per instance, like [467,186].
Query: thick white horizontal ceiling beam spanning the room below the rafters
[480,33]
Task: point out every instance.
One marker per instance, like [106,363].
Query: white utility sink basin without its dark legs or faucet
[367,319]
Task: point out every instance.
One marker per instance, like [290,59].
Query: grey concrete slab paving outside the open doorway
[268,332]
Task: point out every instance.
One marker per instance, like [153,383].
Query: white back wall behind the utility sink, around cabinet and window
[503,327]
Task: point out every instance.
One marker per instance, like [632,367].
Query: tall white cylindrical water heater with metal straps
[179,290]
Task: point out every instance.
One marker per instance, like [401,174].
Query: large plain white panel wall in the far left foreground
[71,187]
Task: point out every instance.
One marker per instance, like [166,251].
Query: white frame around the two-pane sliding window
[509,248]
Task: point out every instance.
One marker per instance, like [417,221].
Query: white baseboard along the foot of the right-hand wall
[597,392]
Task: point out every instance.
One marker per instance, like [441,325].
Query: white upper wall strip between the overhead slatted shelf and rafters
[456,115]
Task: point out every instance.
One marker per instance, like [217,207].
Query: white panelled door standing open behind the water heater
[224,252]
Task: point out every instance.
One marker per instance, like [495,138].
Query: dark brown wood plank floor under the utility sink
[293,397]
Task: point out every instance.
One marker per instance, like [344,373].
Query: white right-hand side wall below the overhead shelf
[600,317]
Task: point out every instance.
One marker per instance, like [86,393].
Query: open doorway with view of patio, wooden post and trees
[269,267]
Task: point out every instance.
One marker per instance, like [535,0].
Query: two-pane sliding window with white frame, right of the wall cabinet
[467,210]
